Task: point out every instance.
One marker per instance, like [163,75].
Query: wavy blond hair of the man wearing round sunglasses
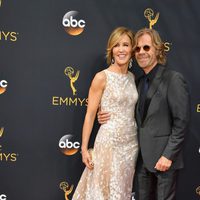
[157,43]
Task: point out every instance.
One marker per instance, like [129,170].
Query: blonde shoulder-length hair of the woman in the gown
[113,39]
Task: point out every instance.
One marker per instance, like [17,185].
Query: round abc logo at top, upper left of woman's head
[72,24]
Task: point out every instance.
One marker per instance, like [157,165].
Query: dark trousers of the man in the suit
[155,185]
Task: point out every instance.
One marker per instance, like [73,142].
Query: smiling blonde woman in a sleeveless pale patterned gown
[109,171]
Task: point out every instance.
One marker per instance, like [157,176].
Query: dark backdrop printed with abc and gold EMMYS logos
[50,51]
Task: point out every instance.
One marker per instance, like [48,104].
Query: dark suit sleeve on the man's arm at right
[179,105]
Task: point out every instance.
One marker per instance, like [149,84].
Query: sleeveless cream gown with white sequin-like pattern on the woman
[116,146]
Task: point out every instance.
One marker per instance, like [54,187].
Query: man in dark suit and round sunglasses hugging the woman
[162,115]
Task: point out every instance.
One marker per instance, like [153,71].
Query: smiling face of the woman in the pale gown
[122,51]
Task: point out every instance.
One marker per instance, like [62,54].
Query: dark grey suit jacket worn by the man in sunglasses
[166,122]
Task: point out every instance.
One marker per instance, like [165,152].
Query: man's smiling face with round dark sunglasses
[145,53]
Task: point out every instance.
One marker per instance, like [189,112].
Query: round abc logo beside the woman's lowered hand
[68,146]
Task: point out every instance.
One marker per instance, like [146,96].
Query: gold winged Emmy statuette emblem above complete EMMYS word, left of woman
[69,71]
